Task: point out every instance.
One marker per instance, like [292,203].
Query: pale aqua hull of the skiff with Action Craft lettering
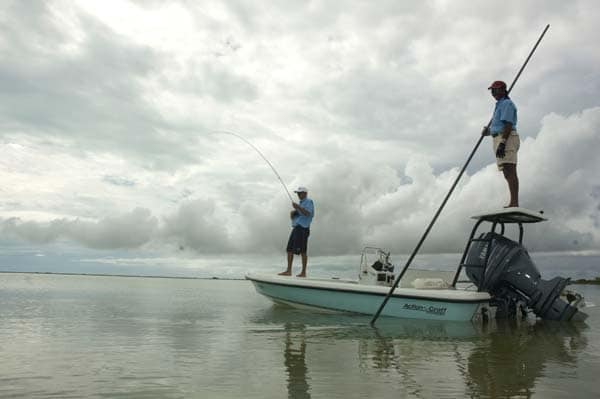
[349,296]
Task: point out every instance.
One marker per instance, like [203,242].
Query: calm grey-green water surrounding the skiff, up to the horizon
[83,336]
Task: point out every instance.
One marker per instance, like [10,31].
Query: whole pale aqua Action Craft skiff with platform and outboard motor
[495,278]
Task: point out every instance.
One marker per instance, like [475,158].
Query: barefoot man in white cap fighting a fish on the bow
[301,218]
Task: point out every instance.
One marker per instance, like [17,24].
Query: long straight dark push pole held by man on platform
[408,262]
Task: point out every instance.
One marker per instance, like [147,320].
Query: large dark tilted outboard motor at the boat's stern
[503,268]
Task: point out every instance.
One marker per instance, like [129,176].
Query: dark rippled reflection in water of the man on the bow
[295,363]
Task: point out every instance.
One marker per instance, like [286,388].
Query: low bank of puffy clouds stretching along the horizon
[372,204]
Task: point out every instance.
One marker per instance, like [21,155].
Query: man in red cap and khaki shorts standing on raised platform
[506,140]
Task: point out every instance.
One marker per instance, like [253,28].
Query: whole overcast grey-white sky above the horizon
[110,113]
